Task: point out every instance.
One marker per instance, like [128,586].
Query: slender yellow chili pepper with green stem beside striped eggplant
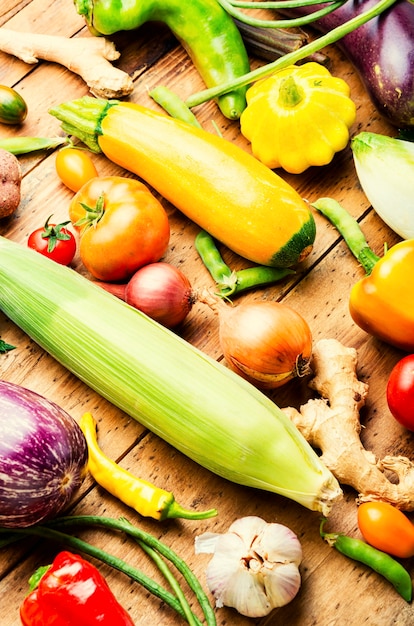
[147,499]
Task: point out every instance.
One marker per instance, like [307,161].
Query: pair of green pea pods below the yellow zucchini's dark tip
[231,282]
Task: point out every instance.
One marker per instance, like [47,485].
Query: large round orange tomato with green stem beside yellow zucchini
[122,227]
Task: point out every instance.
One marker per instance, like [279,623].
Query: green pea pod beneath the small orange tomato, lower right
[380,562]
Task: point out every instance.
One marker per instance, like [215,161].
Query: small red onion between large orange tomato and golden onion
[159,290]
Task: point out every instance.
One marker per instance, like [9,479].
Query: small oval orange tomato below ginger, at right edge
[386,528]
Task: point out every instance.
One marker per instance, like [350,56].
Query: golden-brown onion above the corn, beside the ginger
[267,343]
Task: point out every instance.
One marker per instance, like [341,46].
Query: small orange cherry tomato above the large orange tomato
[74,167]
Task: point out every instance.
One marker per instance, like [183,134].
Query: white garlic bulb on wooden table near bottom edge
[255,567]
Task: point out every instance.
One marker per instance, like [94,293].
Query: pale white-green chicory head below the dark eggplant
[385,168]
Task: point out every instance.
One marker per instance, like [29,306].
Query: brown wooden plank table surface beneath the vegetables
[335,590]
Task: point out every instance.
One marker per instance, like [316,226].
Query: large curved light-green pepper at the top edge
[203,27]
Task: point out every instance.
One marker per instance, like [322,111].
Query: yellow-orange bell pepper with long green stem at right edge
[382,302]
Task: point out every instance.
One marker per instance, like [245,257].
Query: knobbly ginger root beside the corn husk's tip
[332,424]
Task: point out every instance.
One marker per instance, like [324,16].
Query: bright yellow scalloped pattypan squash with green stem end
[298,117]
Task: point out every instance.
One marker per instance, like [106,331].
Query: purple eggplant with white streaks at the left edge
[43,457]
